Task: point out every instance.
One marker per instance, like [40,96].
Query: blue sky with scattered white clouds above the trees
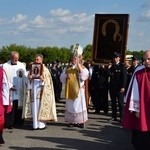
[65,22]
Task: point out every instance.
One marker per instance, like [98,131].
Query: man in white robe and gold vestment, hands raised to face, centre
[74,77]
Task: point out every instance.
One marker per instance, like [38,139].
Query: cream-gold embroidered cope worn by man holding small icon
[47,110]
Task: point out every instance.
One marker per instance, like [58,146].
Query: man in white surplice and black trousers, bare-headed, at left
[11,68]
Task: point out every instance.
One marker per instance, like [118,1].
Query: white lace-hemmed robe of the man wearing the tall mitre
[76,111]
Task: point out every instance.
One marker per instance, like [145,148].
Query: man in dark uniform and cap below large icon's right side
[118,79]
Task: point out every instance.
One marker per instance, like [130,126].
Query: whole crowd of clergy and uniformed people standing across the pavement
[24,95]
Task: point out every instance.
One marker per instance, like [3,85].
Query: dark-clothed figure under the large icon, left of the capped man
[99,84]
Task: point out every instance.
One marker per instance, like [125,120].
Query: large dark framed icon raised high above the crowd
[110,35]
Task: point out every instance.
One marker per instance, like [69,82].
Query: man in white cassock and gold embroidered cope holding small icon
[42,99]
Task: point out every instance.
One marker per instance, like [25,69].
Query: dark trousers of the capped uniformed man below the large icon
[117,101]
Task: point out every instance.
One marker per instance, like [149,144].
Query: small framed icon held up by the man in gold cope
[36,70]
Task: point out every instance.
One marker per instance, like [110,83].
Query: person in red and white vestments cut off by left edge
[4,101]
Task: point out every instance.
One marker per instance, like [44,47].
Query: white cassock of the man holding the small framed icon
[36,89]
